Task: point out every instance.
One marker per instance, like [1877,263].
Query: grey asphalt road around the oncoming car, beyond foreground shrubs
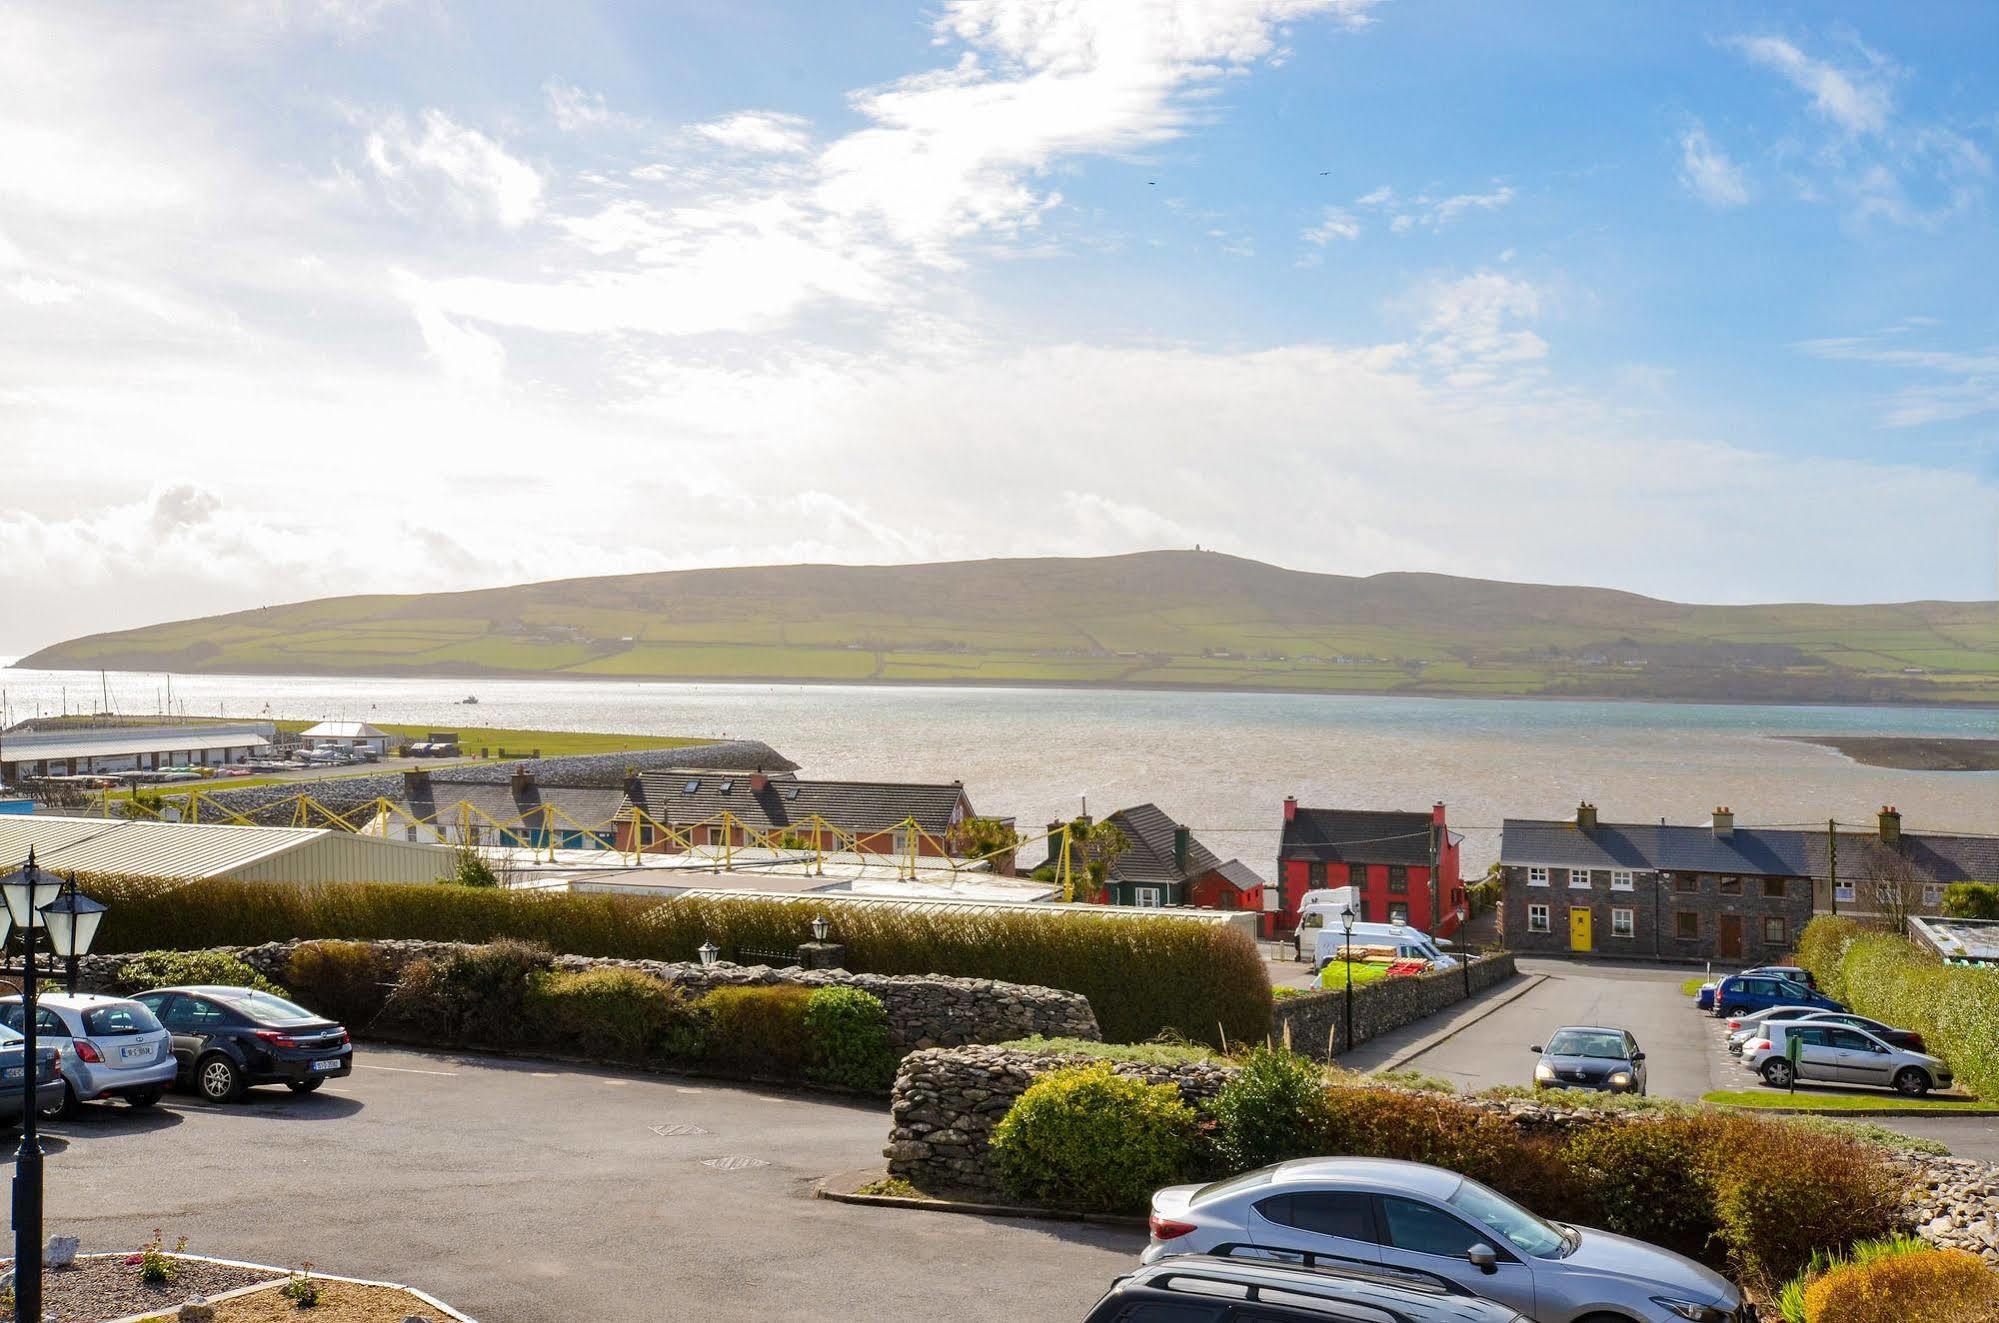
[1486,1042]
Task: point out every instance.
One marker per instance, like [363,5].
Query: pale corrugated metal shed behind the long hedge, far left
[199,852]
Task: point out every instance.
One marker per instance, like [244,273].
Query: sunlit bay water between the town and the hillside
[1220,762]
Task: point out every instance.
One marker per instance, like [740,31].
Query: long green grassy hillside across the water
[1156,619]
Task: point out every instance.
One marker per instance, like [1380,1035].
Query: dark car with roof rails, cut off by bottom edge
[1202,1288]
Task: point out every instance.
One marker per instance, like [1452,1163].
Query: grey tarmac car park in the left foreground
[535,1194]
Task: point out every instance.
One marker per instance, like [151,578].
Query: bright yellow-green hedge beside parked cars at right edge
[1880,974]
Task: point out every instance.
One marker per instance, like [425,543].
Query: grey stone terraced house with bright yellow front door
[1654,890]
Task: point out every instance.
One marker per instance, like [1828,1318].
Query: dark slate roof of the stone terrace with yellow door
[1764,852]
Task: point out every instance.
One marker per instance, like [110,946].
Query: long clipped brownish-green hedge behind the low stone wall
[1142,976]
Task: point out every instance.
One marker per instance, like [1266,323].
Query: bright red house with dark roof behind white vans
[1386,854]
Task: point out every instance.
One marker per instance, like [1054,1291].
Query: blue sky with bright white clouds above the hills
[323,297]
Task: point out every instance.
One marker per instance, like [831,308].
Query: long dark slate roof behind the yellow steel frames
[855,806]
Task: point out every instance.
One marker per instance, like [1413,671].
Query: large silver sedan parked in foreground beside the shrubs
[1428,1220]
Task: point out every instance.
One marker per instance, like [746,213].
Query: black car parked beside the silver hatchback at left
[233,1038]
